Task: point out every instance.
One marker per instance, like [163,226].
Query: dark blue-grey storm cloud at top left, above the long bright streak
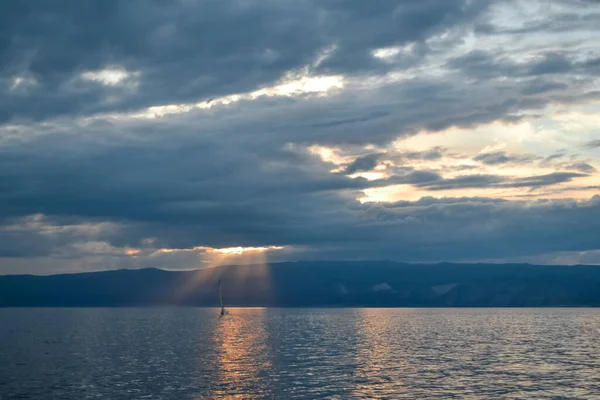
[190,50]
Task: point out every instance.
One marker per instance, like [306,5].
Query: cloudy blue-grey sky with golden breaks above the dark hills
[186,134]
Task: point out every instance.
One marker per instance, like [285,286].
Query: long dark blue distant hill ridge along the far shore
[316,284]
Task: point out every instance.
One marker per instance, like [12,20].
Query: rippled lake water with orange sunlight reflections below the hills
[189,353]
